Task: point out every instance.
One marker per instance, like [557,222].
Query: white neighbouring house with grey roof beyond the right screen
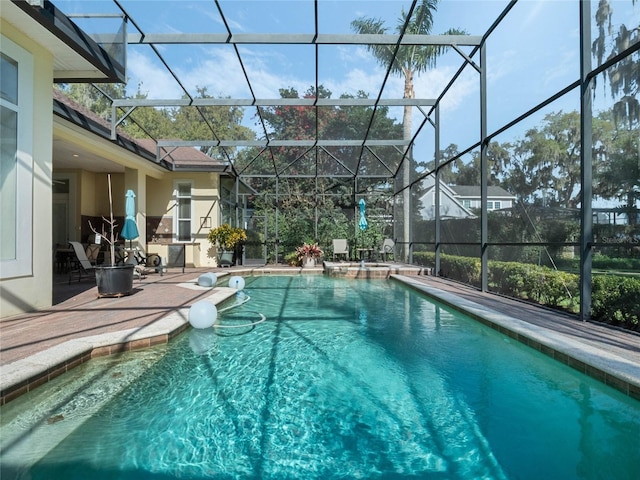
[460,201]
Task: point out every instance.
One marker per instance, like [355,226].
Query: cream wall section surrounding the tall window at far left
[34,289]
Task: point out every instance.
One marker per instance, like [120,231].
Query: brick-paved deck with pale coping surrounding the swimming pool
[37,347]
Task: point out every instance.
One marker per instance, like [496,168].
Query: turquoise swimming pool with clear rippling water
[345,379]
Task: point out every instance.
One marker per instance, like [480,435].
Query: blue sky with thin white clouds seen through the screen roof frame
[530,57]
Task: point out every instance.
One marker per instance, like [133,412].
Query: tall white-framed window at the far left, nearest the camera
[16,161]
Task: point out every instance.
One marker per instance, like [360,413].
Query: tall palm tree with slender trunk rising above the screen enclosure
[406,61]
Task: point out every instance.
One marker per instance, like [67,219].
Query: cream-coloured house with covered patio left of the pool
[55,166]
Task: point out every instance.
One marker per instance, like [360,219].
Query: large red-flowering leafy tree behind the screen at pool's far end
[316,188]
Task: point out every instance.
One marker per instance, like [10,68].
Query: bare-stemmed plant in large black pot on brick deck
[112,280]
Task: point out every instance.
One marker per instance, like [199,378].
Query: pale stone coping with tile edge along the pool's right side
[612,370]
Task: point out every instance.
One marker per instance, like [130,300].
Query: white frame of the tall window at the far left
[22,264]
